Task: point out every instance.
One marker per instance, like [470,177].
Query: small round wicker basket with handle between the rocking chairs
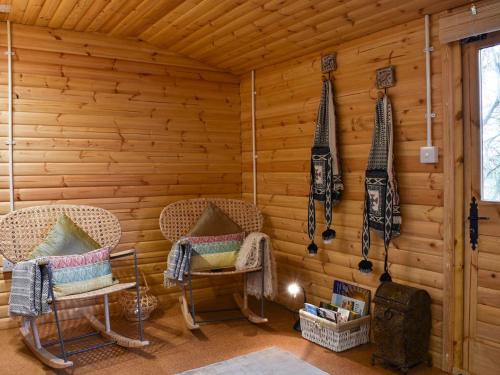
[128,301]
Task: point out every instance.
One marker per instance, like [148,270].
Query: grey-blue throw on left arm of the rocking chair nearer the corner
[177,263]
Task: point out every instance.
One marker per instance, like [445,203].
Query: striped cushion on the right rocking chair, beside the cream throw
[213,252]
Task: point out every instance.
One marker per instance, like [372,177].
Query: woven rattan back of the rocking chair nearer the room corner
[177,218]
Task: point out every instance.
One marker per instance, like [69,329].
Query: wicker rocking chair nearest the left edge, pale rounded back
[22,230]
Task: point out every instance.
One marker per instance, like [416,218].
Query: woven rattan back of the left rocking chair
[22,230]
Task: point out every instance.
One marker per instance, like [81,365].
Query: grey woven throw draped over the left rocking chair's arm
[30,289]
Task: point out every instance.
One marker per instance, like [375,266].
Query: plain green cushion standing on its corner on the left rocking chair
[65,238]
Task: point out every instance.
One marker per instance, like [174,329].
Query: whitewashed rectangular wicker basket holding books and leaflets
[336,337]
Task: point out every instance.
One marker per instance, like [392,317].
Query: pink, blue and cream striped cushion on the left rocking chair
[74,274]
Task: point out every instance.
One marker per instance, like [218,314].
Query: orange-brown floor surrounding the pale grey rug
[174,349]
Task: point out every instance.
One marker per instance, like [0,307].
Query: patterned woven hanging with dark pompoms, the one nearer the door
[381,207]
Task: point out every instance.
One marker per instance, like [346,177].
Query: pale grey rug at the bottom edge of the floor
[272,361]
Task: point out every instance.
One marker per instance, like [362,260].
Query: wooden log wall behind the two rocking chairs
[119,125]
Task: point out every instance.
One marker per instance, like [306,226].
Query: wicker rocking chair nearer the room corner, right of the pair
[177,219]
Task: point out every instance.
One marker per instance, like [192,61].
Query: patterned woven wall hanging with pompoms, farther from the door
[326,179]
